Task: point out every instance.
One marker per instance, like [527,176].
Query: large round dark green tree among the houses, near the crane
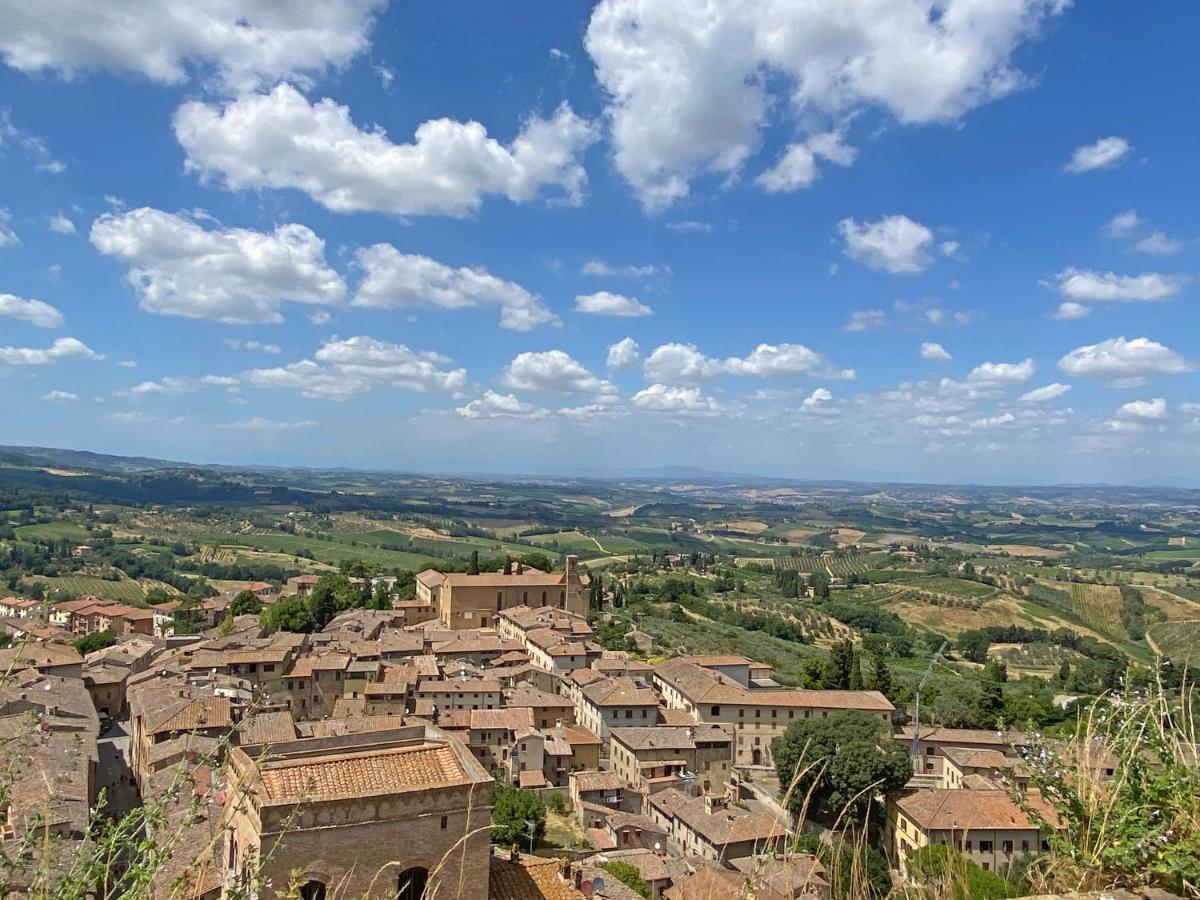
[855,757]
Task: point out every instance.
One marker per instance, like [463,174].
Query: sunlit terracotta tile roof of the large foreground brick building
[362,775]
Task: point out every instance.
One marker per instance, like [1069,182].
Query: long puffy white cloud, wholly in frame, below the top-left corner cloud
[281,141]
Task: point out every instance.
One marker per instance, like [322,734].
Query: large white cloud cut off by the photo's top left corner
[244,46]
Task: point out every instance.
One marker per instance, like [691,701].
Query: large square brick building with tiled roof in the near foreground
[392,814]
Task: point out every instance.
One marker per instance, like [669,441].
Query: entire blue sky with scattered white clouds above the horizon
[914,241]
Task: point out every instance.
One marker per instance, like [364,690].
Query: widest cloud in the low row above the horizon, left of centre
[346,368]
